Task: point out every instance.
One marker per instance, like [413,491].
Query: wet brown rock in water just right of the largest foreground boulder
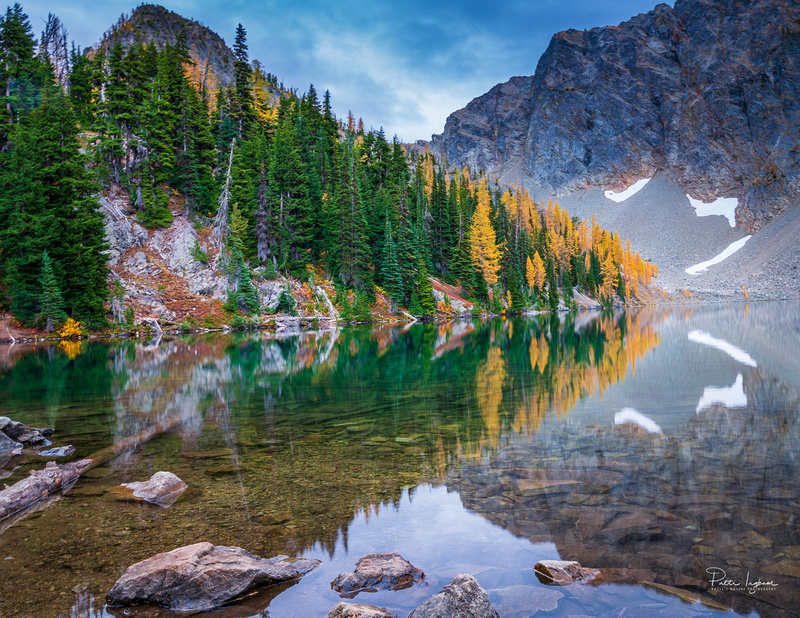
[389,571]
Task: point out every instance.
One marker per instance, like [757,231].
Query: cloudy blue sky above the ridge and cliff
[404,66]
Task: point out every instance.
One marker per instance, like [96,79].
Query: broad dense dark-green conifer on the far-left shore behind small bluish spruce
[47,201]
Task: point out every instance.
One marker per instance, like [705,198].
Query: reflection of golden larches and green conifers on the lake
[556,365]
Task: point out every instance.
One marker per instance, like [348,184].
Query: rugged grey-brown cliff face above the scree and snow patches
[705,92]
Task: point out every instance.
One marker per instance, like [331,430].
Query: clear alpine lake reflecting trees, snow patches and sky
[660,446]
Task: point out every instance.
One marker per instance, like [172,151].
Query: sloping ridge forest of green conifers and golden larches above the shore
[285,184]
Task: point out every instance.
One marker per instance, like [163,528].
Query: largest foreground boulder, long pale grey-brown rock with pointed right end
[201,576]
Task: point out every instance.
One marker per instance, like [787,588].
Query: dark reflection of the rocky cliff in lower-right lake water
[719,493]
